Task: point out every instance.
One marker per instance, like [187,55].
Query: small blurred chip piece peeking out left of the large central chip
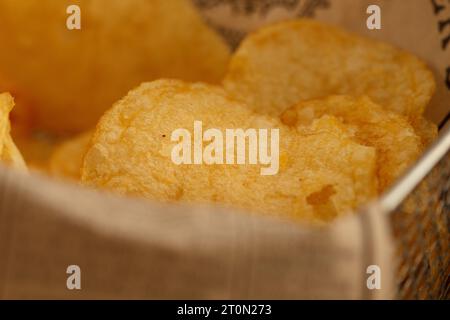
[67,158]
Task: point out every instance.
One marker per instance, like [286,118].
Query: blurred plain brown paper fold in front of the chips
[135,249]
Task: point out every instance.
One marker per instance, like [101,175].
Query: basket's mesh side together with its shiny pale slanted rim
[419,207]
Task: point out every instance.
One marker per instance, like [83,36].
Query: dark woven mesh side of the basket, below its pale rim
[421,228]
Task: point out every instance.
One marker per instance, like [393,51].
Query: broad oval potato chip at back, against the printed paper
[280,65]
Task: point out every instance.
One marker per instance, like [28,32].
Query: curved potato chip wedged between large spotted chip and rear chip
[394,138]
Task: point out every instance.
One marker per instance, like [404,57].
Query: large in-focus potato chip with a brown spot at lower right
[323,172]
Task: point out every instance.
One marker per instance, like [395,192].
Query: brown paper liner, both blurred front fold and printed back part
[130,248]
